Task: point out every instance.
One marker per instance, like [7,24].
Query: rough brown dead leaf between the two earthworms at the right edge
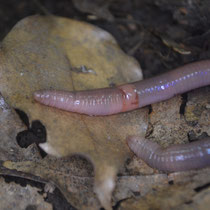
[170,125]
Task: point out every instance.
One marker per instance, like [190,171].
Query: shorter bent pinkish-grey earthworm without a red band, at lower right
[180,157]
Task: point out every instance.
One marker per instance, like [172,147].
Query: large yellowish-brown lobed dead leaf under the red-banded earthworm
[39,53]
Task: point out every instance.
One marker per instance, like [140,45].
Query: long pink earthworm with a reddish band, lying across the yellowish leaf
[107,101]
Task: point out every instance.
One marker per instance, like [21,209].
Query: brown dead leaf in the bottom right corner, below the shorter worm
[182,194]
